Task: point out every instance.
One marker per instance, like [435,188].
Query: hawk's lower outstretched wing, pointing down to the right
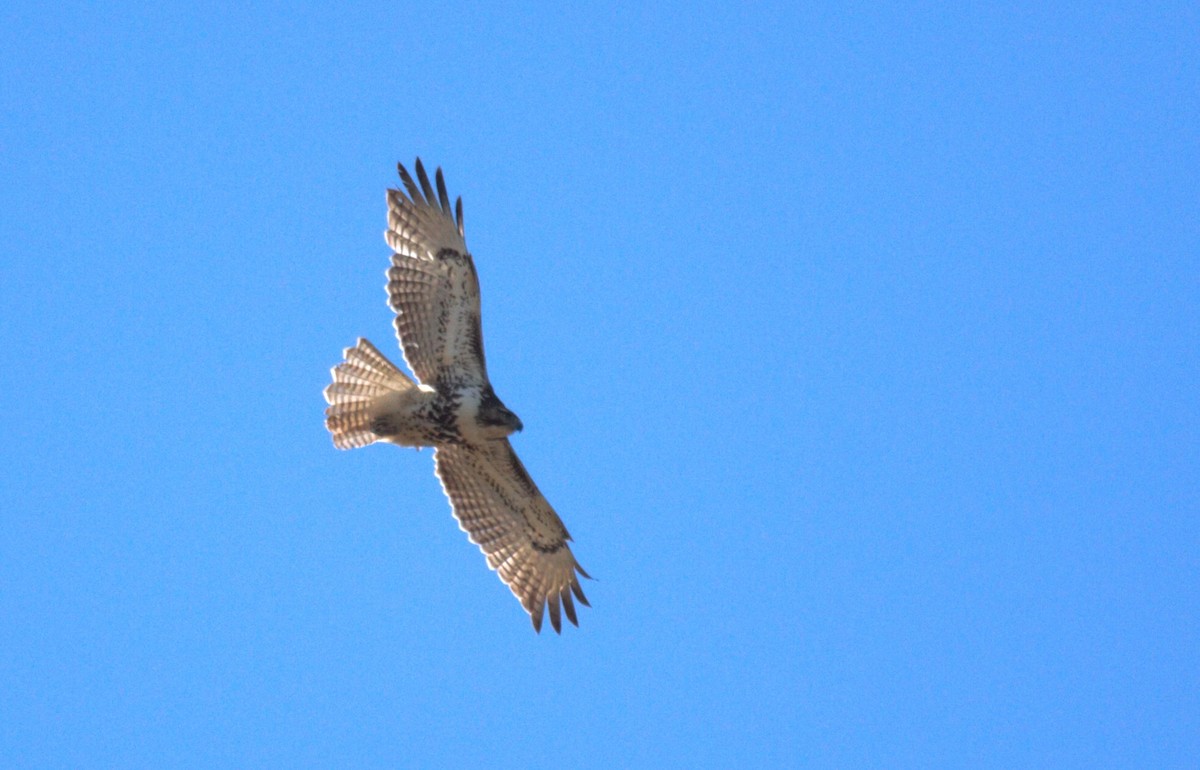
[501,509]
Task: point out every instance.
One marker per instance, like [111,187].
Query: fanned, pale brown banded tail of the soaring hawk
[364,377]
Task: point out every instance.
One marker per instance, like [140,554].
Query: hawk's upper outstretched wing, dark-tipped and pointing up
[433,285]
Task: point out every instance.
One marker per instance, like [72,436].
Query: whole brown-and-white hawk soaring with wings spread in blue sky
[434,290]
